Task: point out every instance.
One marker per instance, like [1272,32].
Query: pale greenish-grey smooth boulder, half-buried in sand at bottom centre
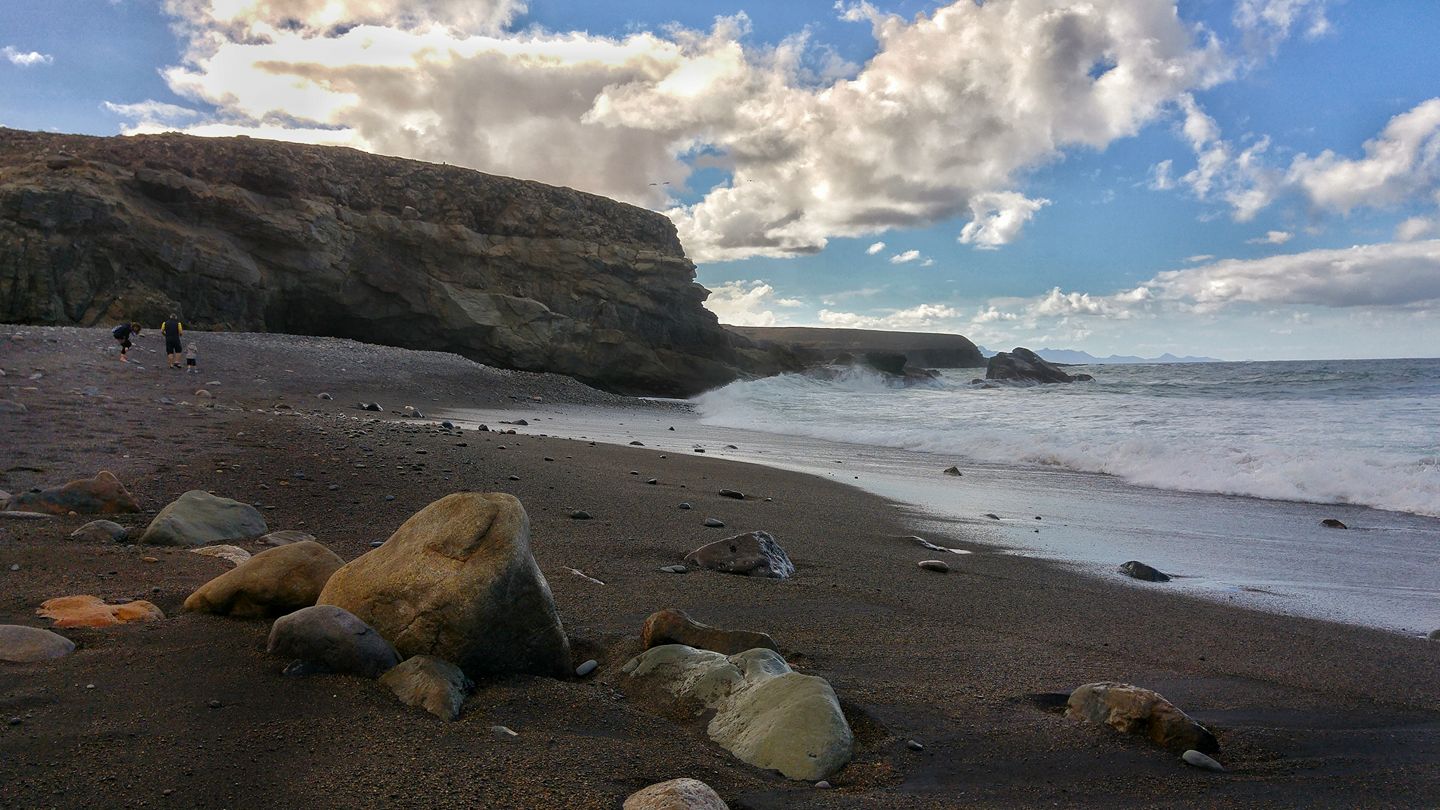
[765,713]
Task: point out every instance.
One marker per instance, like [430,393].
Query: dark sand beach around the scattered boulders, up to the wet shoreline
[191,711]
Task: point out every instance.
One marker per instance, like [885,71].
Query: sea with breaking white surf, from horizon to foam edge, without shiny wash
[1360,433]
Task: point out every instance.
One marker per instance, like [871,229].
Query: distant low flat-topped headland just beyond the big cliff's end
[822,345]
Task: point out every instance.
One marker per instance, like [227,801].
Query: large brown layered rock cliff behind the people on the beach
[261,236]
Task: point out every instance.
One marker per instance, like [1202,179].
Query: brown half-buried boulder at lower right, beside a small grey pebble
[1133,710]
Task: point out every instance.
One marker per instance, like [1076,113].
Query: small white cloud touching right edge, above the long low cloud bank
[1403,162]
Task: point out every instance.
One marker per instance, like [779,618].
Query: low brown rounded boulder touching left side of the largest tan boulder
[273,583]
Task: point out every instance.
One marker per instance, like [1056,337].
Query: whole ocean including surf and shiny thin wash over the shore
[1216,473]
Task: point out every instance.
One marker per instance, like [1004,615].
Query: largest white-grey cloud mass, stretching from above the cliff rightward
[940,122]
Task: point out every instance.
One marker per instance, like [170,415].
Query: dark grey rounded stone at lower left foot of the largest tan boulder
[330,639]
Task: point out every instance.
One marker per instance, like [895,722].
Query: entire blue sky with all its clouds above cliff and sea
[1241,179]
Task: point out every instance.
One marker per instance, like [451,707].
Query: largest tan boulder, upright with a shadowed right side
[457,582]
